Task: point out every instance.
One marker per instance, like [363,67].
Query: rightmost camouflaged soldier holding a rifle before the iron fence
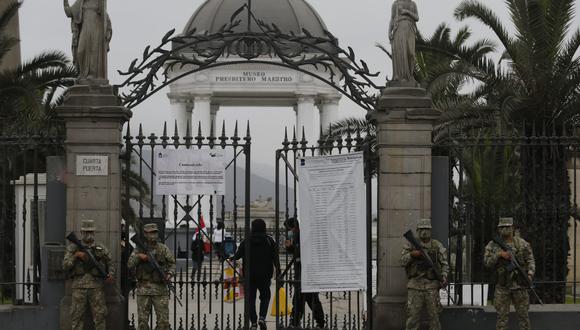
[510,288]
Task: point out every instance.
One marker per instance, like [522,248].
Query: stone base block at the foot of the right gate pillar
[389,313]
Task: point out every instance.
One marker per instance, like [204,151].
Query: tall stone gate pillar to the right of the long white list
[404,120]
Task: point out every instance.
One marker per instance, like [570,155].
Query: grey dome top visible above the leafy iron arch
[288,15]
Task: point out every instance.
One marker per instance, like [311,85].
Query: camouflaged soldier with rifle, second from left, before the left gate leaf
[151,289]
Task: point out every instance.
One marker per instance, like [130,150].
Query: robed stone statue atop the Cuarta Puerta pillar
[91,29]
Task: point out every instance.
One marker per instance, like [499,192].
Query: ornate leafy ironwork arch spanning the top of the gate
[201,51]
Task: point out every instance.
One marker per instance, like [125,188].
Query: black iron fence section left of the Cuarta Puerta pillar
[22,210]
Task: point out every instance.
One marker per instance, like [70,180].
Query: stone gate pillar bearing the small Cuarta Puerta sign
[94,118]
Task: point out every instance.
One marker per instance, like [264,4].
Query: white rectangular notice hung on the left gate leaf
[190,172]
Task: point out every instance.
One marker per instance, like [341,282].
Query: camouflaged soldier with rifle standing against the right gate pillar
[423,286]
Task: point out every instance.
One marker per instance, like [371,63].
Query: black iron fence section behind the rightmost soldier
[532,177]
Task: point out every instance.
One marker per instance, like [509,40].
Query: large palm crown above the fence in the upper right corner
[538,76]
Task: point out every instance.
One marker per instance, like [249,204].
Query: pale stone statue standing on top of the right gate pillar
[402,34]
